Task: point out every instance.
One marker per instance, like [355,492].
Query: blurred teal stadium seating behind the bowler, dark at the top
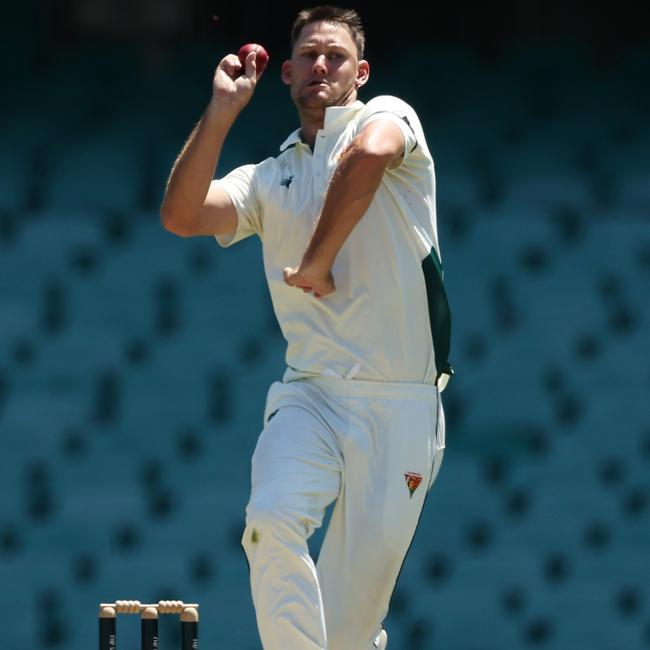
[133,364]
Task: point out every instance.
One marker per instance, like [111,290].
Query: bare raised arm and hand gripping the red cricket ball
[194,203]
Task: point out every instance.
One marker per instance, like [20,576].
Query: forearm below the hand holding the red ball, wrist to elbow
[195,167]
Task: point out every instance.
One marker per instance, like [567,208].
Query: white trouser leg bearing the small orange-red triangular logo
[387,472]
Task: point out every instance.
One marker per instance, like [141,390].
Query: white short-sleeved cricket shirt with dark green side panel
[378,323]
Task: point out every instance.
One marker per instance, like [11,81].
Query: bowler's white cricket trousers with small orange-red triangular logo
[376,448]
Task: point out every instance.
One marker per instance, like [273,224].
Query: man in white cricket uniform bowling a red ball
[346,215]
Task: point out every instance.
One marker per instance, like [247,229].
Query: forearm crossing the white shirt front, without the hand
[349,195]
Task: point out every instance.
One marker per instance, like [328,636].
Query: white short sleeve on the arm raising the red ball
[240,184]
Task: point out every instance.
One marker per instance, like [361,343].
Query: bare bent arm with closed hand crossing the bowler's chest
[379,146]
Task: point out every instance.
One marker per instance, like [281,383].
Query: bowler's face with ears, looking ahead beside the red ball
[324,69]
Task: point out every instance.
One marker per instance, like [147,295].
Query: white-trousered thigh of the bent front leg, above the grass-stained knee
[296,467]
